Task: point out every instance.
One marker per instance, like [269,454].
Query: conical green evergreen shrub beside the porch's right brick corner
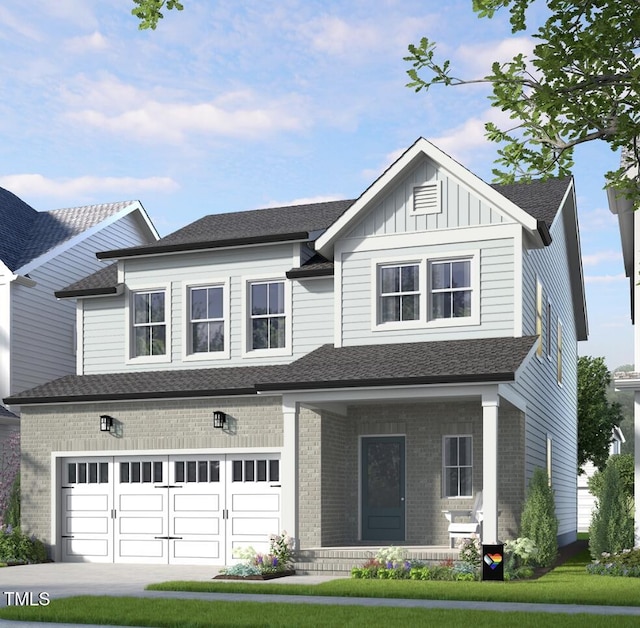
[539,522]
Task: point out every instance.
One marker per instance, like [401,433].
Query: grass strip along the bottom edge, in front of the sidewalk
[195,613]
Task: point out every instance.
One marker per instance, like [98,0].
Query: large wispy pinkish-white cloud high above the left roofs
[119,108]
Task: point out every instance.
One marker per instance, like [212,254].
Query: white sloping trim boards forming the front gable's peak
[421,148]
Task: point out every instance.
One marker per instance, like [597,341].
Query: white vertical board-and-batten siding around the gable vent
[393,212]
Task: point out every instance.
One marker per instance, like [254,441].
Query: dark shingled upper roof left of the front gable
[258,226]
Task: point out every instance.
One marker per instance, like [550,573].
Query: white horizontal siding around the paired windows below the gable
[496,286]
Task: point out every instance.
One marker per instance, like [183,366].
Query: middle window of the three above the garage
[207,319]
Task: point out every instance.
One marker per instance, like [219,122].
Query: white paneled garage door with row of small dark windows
[160,509]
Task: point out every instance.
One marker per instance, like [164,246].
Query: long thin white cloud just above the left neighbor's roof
[36,185]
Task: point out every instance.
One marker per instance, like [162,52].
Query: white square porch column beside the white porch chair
[490,403]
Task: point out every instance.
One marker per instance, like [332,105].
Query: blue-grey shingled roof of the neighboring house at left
[26,234]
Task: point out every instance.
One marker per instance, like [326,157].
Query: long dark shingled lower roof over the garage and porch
[450,361]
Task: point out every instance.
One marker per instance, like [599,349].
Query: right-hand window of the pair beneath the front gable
[450,289]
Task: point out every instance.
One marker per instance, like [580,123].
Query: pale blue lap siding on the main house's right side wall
[552,408]
